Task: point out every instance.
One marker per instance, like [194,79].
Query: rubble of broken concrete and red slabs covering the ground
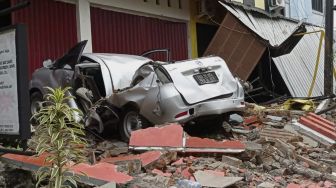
[267,147]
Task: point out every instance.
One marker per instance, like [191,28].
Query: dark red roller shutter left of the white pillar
[51,29]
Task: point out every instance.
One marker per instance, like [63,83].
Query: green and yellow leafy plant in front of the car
[60,137]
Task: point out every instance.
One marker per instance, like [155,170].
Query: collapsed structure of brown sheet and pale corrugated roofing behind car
[276,55]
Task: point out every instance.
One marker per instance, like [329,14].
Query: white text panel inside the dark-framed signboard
[9,107]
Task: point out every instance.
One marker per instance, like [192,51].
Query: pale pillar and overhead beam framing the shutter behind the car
[166,10]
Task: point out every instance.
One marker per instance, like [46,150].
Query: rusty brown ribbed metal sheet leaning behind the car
[237,46]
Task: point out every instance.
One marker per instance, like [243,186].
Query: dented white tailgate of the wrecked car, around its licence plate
[182,74]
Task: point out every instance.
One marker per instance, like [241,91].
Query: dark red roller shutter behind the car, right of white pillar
[116,32]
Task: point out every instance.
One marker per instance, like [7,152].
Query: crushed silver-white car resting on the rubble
[134,92]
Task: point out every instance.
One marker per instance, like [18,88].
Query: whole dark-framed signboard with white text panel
[14,94]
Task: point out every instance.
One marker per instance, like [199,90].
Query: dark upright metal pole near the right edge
[328,57]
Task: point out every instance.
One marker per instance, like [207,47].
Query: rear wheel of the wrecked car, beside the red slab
[130,121]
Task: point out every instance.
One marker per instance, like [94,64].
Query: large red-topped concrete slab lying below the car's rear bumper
[161,139]
